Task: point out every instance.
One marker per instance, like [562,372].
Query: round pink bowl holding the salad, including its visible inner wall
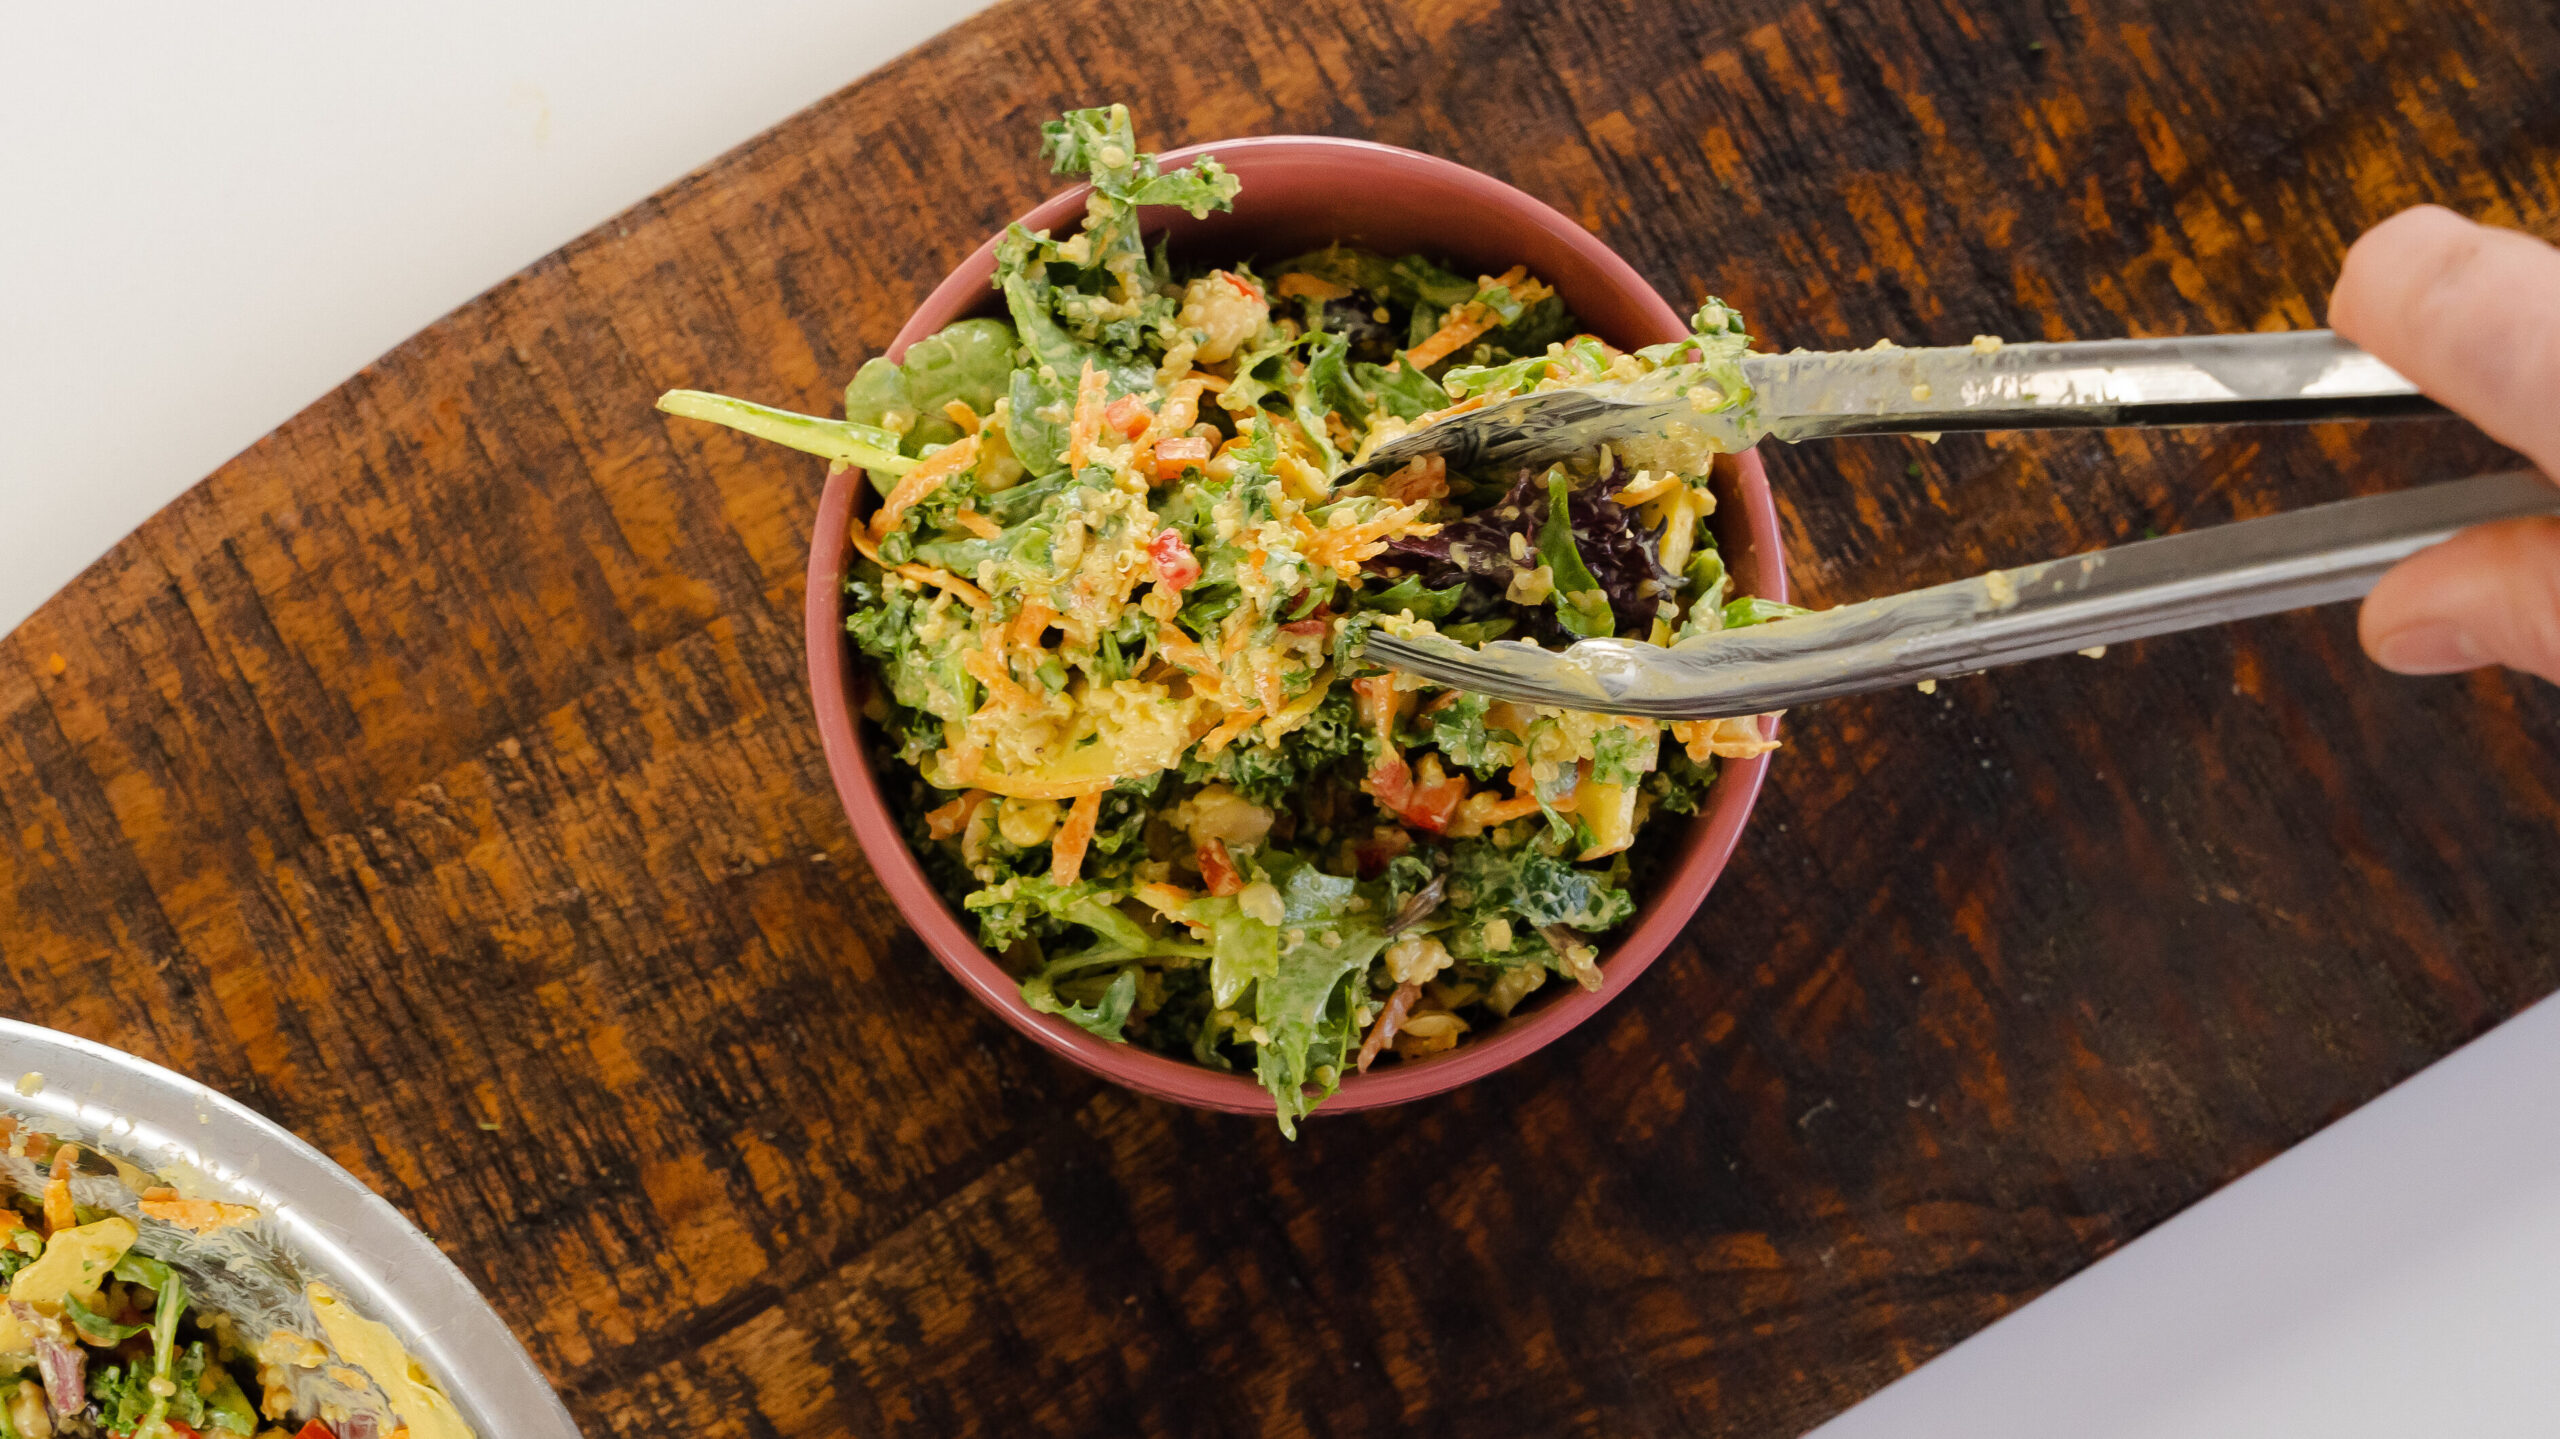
[1304,193]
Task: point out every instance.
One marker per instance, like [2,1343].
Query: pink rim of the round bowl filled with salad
[1709,839]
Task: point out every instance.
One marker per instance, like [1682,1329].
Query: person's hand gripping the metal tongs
[2472,316]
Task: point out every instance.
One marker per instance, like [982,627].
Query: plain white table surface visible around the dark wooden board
[221,211]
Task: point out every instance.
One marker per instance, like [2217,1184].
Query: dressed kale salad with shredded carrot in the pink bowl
[1115,600]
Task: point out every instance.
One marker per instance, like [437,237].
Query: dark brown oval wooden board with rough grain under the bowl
[439,775]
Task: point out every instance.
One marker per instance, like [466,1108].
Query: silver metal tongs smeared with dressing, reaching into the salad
[2152,588]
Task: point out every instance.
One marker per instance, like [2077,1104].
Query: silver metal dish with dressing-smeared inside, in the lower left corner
[142,1125]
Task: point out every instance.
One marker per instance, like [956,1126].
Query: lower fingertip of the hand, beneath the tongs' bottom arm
[2484,598]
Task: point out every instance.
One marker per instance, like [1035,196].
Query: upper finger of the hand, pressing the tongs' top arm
[2469,314]
